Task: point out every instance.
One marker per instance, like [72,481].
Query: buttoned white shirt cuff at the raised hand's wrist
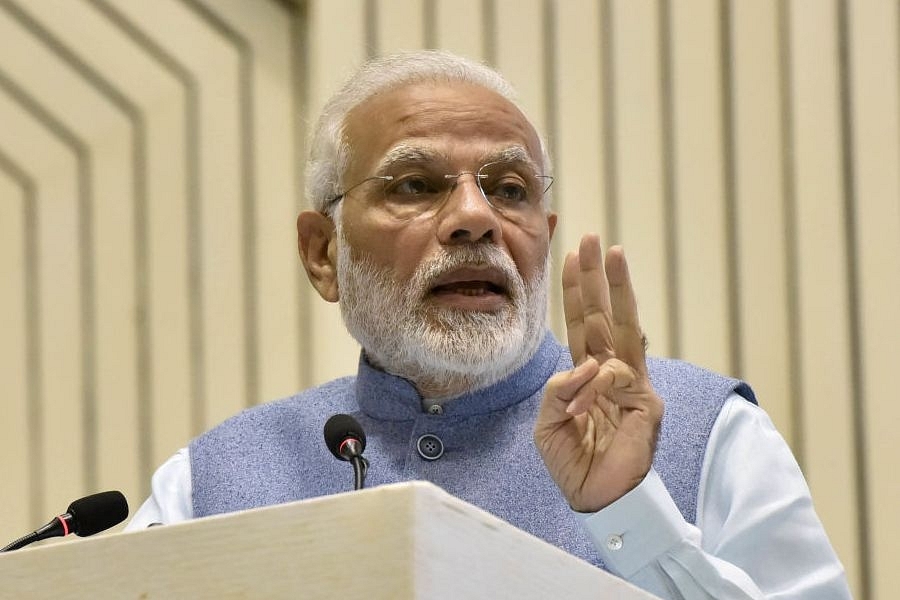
[637,528]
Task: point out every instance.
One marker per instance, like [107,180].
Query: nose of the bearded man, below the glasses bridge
[466,216]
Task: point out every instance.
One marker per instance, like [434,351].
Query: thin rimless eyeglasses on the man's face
[512,188]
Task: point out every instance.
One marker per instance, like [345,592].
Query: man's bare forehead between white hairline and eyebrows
[463,121]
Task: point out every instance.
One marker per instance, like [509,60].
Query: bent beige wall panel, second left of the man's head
[215,63]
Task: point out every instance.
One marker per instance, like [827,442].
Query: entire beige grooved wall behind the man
[746,154]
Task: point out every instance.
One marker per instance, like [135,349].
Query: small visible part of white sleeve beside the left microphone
[170,494]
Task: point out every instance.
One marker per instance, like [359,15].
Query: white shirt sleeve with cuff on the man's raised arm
[757,534]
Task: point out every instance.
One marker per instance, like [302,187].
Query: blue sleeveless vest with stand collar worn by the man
[275,453]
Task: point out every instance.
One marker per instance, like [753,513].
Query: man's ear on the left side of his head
[317,244]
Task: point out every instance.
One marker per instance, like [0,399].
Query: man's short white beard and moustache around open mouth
[441,349]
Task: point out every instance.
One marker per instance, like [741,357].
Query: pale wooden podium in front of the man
[407,540]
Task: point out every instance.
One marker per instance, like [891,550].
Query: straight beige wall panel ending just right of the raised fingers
[638,198]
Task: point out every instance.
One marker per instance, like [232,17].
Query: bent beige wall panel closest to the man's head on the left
[267,30]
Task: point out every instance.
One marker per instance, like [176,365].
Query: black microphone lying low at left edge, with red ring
[86,516]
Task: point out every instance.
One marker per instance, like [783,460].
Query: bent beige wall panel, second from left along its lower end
[59,468]
